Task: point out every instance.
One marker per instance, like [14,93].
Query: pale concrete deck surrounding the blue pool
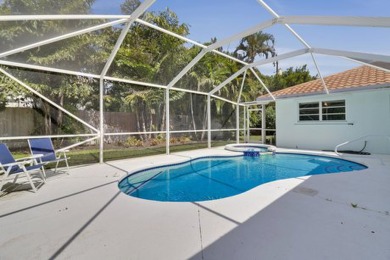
[84,216]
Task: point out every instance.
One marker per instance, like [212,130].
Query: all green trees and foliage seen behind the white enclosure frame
[146,55]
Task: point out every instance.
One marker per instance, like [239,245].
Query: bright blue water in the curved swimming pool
[210,178]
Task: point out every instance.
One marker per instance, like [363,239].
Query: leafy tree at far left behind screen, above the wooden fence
[81,52]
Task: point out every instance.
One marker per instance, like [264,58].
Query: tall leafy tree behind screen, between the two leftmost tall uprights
[150,56]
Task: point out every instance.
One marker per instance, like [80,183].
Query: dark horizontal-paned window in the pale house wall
[322,111]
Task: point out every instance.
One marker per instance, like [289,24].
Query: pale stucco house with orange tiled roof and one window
[357,107]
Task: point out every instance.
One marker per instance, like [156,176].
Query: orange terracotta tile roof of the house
[360,77]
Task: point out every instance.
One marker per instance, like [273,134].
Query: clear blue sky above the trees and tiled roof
[223,18]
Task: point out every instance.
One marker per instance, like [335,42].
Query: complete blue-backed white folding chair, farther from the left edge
[44,146]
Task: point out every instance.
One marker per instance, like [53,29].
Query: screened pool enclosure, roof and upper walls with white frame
[187,66]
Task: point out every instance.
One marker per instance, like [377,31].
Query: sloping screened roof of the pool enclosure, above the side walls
[329,37]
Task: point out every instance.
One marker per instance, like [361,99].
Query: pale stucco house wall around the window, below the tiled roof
[367,113]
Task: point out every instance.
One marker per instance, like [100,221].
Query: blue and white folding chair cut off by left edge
[9,166]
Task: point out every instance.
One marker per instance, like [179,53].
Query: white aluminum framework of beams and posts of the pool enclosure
[127,20]
